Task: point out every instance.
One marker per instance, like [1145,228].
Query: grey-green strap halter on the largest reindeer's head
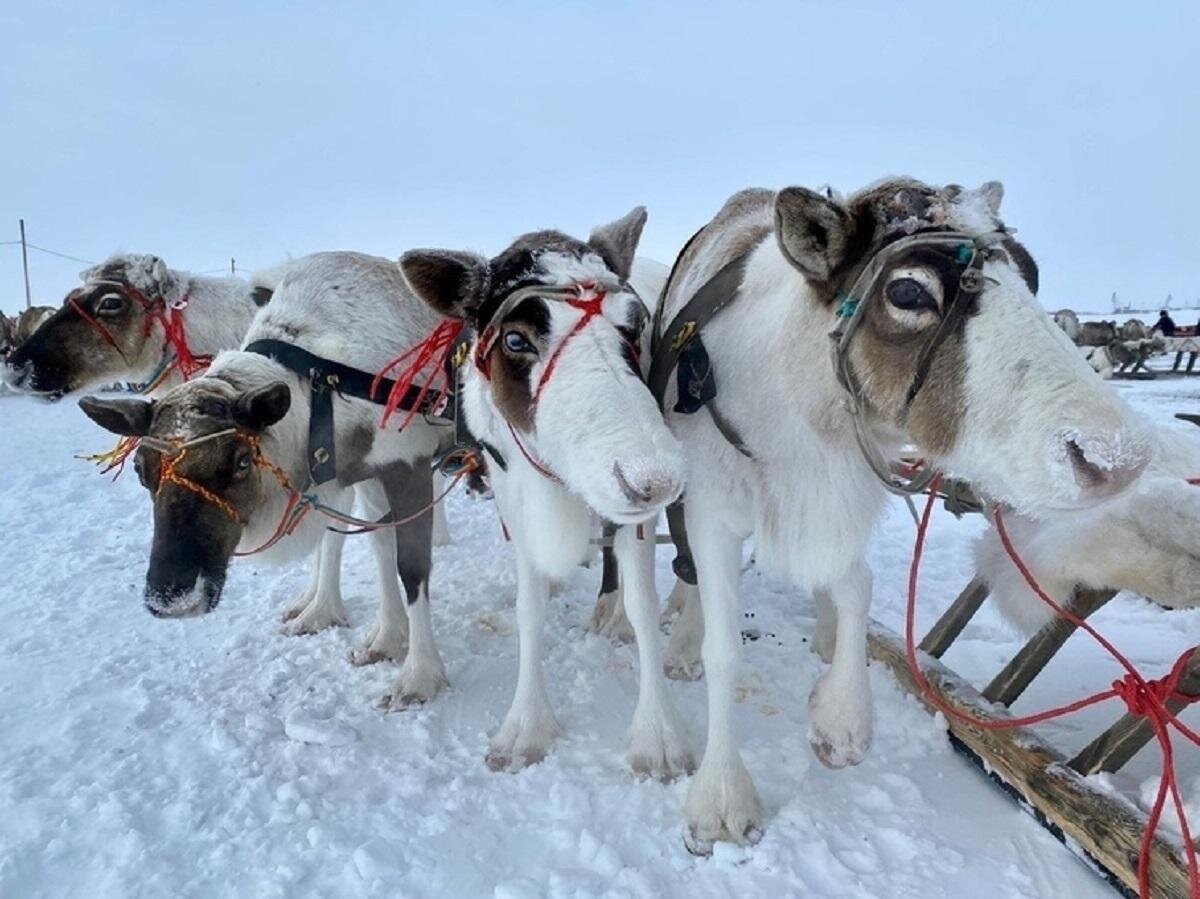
[971,251]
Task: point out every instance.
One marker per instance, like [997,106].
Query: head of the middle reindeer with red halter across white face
[559,340]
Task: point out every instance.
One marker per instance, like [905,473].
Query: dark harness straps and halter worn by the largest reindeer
[679,347]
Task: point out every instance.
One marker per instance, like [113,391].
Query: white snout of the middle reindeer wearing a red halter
[598,428]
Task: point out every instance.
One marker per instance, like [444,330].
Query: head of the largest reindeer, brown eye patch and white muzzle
[952,347]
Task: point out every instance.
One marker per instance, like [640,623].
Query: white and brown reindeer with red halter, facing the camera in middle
[556,393]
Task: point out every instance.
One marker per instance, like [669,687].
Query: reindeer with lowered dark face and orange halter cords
[226,457]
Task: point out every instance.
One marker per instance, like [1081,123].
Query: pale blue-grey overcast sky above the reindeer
[203,131]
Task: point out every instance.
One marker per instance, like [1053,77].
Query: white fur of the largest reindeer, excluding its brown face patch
[808,498]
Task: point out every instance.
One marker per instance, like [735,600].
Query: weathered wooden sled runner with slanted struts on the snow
[1107,830]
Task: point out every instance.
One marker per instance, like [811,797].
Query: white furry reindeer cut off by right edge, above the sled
[1144,541]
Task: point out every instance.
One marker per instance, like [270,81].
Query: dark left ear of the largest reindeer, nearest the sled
[814,232]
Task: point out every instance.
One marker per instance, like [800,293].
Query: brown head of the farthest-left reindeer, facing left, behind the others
[103,333]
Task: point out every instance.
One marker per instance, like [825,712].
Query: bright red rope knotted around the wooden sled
[1142,697]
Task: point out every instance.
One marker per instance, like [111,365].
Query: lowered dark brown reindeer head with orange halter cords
[201,462]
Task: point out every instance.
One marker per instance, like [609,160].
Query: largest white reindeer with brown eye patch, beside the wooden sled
[939,343]
